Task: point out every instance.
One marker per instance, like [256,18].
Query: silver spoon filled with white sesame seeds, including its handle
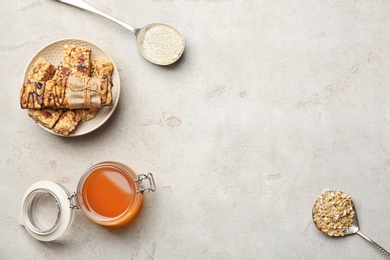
[158,43]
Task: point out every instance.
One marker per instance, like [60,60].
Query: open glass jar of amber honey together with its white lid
[109,193]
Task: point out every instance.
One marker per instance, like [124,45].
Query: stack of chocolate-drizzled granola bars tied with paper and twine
[61,98]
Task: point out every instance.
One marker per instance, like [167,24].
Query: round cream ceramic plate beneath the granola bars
[53,53]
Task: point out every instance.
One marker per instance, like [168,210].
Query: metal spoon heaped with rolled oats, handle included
[334,214]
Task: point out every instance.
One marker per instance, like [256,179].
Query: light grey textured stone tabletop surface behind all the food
[272,102]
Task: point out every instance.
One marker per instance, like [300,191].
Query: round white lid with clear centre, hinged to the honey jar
[46,210]
